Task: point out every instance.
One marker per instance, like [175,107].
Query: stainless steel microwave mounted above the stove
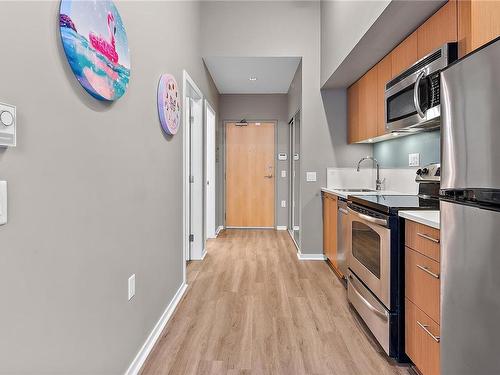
[412,99]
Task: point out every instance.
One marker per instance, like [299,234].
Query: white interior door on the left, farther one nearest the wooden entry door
[210,171]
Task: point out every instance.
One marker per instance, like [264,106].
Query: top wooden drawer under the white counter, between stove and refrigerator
[423,239]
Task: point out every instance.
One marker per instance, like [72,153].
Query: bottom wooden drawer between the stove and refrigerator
[422,340]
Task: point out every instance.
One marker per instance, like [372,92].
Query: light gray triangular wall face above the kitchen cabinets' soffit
[343,24]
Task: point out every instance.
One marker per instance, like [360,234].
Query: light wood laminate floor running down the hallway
[253,308]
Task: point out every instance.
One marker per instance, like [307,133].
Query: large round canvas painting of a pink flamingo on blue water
[95,43]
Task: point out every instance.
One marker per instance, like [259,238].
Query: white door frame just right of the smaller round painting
[187,84]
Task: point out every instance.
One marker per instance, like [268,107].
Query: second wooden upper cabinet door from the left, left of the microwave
[368,105]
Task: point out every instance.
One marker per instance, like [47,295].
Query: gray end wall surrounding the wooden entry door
[257,107]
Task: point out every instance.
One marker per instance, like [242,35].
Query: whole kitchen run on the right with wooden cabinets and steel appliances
[399,239]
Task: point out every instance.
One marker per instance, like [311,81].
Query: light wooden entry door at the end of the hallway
[250,175]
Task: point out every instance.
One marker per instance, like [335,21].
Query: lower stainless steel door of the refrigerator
[470,290]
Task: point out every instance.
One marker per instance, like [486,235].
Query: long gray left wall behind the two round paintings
[94,194]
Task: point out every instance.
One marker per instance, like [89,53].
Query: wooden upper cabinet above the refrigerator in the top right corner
[478,24]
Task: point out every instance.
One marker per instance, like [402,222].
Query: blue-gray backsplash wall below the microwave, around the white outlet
[394,153]
